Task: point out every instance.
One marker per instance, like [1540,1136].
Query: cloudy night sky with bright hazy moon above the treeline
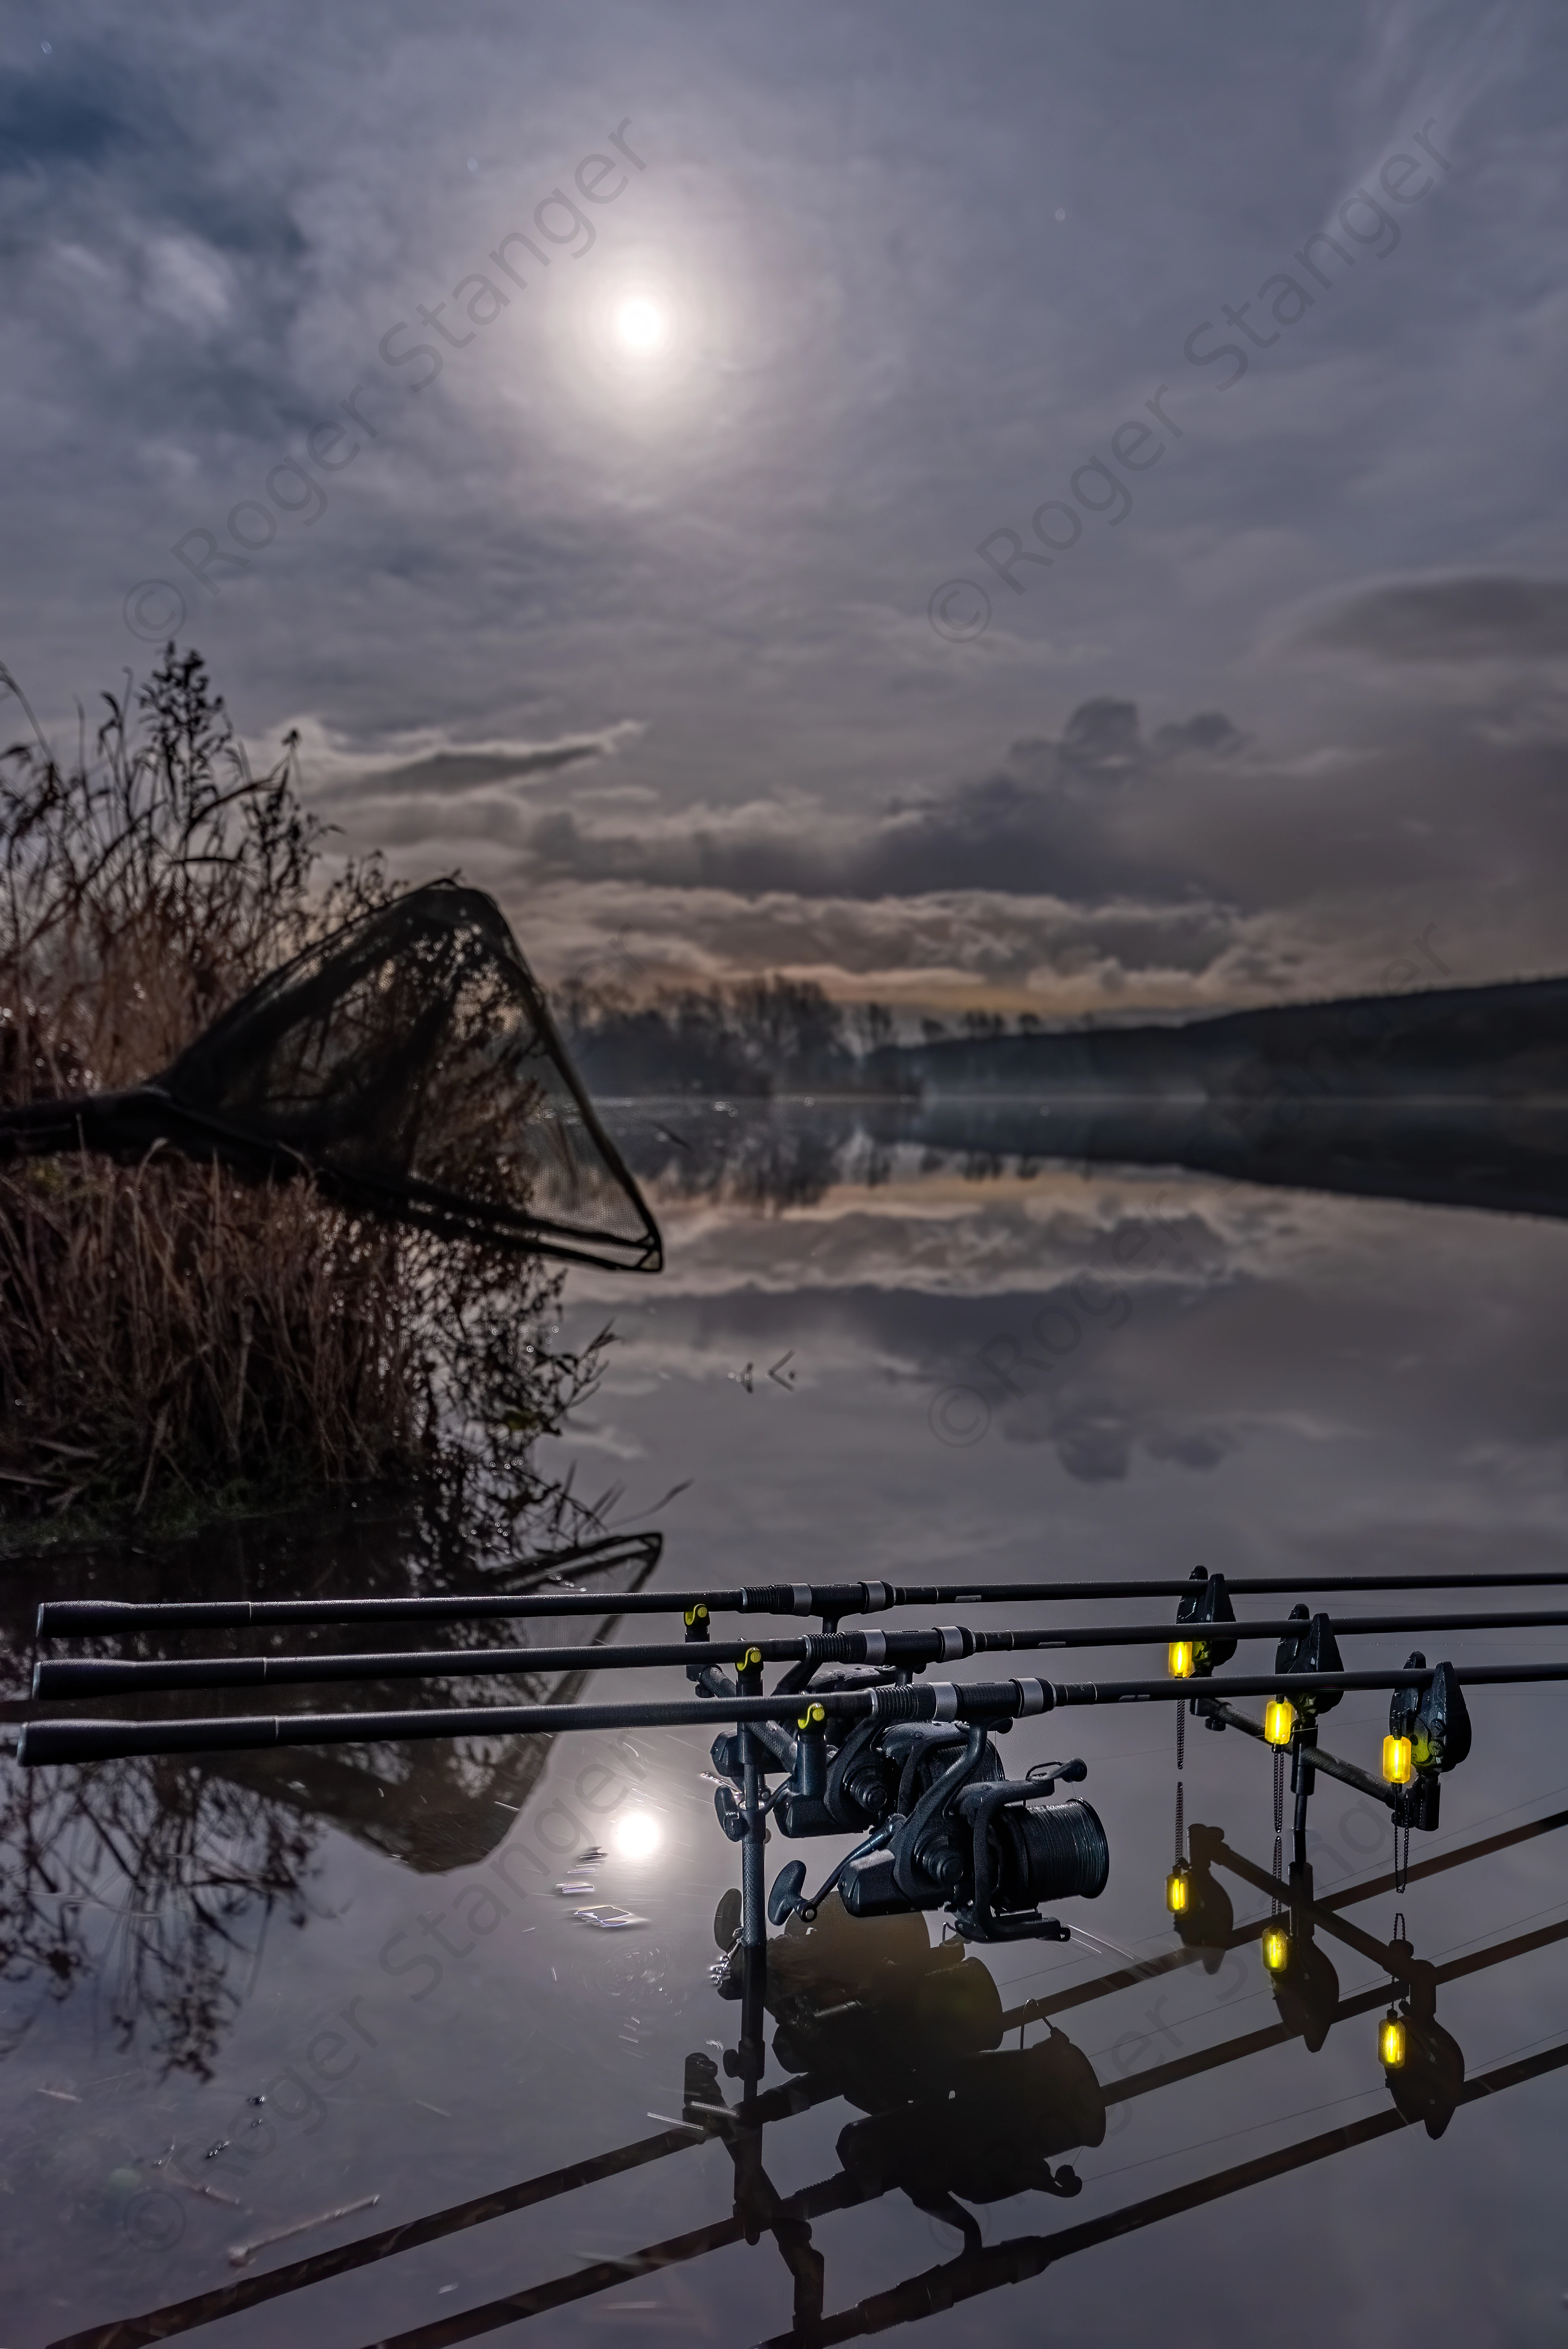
[975,504]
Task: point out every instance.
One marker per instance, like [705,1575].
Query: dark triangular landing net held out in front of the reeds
[412,1068]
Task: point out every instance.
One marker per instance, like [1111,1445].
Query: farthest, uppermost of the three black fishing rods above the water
[827,1601]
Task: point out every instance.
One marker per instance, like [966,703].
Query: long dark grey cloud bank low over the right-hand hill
[1191,828]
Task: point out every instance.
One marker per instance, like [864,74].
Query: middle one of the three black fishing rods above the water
[903,1650]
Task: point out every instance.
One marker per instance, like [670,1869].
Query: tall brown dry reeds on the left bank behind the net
[173,1340]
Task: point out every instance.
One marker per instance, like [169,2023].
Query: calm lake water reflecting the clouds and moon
[245,1995]
